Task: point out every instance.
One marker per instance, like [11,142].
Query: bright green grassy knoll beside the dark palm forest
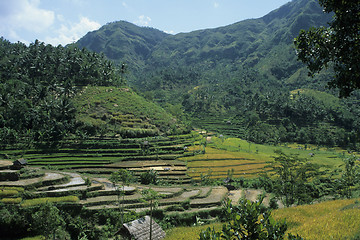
[118,109]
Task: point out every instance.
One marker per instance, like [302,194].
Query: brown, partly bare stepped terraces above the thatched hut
[99,193]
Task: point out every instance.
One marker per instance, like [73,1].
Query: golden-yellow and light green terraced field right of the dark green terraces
[248,160]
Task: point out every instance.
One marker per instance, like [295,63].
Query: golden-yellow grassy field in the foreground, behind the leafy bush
[338,219]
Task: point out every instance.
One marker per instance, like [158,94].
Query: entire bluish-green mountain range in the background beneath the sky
[264,44]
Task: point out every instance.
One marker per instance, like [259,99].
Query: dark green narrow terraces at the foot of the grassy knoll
[102,156]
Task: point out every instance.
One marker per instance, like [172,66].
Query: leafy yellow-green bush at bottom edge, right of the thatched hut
[248,220]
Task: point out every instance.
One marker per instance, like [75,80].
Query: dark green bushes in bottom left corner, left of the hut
[49,220]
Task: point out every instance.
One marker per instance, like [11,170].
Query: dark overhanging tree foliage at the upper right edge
[338,45]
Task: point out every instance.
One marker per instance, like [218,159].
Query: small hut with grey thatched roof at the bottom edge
[140,230]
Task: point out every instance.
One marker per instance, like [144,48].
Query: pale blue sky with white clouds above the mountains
[65,21]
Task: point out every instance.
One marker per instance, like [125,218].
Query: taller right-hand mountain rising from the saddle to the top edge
[264,44]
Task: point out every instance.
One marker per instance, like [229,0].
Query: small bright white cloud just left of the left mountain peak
[69,33]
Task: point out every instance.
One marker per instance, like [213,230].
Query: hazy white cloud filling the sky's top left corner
[24,15]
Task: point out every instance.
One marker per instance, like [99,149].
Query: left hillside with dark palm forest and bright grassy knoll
[48,94]
